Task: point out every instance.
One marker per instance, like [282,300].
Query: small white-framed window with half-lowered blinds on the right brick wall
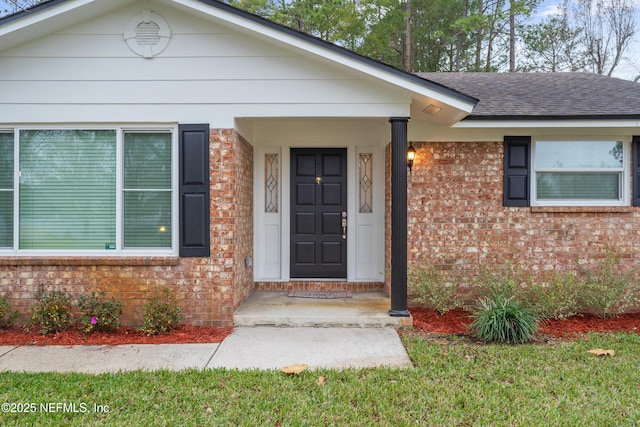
[574,173]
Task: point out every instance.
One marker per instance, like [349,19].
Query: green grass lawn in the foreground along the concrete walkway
[453,383]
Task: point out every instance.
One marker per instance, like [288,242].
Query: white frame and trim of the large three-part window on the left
[119,251]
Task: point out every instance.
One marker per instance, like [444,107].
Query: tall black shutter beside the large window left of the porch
[194,190]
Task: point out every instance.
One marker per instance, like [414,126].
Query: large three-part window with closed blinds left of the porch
[81,191]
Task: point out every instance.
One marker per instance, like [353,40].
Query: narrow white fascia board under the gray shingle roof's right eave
[583,123]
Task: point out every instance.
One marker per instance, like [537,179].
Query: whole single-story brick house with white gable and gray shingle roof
[185,144]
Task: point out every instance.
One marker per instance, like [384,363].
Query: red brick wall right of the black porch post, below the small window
[456,217]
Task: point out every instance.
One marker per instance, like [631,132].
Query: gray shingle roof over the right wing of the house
[505,96]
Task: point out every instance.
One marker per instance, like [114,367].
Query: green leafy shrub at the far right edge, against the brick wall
[607,290]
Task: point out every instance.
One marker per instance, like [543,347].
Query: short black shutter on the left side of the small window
[517,162]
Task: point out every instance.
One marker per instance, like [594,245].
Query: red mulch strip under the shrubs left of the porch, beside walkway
[182,335]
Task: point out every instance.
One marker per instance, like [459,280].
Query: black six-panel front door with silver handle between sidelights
[318,213]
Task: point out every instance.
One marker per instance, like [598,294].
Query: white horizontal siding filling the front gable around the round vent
[207,69]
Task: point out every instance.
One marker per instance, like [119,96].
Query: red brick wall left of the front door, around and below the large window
[207,289]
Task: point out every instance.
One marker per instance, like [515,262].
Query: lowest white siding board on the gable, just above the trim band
[189,91]
